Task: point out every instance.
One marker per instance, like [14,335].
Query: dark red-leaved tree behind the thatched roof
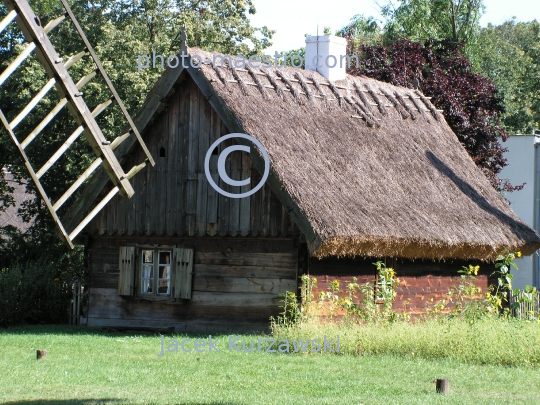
[470,102]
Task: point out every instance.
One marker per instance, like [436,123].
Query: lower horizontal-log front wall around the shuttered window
[236,284]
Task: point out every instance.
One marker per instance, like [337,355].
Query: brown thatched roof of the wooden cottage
[365,168]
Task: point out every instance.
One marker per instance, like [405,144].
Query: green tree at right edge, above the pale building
[509,54]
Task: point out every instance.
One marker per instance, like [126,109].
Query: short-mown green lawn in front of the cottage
[86,366]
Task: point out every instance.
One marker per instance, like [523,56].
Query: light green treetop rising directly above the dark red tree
[420,20]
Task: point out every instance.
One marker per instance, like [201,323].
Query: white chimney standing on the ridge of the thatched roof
[327,55]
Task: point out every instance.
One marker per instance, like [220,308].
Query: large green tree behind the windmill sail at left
[119,31]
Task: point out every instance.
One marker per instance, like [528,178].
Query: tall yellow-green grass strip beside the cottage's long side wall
[490,340]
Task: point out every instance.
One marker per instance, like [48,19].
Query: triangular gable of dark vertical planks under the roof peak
[174,197]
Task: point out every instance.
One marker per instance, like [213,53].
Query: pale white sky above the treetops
[294,18]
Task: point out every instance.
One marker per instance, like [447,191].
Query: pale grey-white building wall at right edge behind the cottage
[521,169]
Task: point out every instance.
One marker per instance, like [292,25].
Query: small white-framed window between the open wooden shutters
[155,272]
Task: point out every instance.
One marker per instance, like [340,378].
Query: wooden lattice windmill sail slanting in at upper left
[30,25]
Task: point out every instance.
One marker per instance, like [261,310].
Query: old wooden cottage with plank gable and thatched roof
[360,170]
